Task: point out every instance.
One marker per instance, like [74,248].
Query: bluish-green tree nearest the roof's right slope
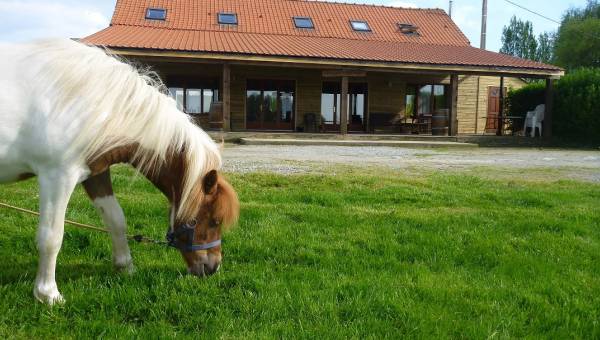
[518,39]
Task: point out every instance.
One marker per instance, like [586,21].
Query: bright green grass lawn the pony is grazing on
[316,256]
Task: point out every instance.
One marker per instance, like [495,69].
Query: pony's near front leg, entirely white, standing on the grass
[56,188]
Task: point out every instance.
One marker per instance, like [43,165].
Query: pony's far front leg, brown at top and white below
[99,189]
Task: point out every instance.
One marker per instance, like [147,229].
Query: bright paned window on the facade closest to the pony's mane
[194,101]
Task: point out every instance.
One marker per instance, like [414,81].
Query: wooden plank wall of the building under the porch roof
[386,92]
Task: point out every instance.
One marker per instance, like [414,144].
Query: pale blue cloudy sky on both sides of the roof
[24,20]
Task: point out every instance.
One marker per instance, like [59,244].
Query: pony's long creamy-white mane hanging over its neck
[122,105]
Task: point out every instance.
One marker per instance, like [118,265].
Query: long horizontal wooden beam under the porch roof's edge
[320,63]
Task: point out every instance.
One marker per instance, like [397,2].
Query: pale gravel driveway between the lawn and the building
[299,159]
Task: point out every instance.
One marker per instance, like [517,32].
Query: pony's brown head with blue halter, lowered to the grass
[199,240]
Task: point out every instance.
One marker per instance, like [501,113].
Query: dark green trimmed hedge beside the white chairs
[576,114]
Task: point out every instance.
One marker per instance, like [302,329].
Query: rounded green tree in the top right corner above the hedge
[578,38]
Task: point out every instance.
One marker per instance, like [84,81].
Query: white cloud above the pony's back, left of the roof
[33,19]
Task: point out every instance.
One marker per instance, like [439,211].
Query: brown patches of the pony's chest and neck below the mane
[167,178]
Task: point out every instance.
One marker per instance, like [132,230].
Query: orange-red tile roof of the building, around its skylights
[265,27]
